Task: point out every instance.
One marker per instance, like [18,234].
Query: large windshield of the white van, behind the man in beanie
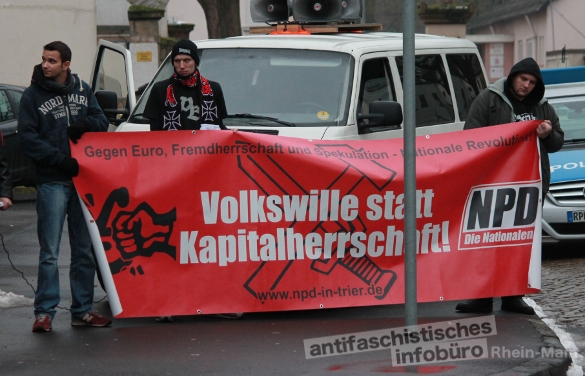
[302,87]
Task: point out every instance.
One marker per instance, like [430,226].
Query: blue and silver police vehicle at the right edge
[564,207]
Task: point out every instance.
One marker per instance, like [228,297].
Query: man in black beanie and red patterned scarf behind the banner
[186,100]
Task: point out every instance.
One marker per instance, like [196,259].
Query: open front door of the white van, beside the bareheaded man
[113,83]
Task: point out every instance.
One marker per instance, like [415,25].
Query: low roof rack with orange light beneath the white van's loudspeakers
[306,28]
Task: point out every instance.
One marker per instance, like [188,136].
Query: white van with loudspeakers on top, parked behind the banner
[344,85]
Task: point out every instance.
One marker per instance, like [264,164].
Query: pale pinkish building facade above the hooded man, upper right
[551,32]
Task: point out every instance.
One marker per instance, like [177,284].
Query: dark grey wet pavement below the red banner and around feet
[257,344]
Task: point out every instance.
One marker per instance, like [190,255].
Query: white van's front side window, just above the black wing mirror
[375,84]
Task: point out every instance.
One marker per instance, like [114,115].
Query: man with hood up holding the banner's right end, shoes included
[519,97]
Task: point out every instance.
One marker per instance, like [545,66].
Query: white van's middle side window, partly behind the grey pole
[434,104]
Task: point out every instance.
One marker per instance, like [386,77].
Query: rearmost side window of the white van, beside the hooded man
[468,80]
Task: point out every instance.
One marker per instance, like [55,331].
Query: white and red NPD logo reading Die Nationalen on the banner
[499,216]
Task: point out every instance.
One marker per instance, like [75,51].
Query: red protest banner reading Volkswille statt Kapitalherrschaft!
[211,221]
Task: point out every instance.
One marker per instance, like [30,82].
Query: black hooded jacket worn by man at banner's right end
[495,105]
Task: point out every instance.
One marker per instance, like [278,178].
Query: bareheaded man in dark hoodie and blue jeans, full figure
[57,106]
